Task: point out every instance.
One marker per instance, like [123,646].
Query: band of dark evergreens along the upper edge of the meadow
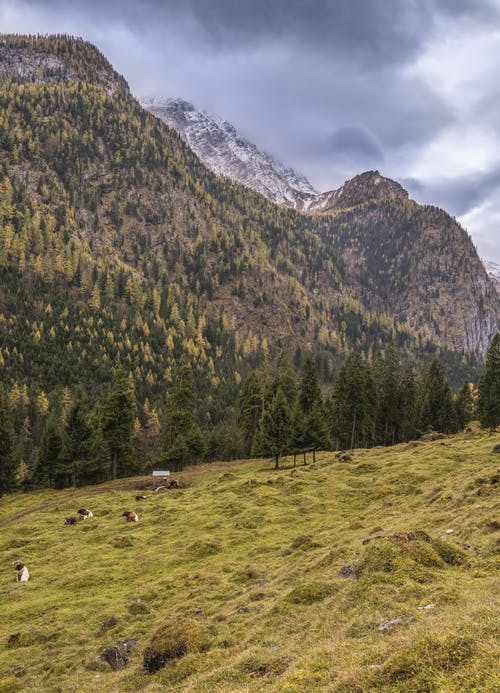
[280,412]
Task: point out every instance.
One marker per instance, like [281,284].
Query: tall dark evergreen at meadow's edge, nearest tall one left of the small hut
[118,424]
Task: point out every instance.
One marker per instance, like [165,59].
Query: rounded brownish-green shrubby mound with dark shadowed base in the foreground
[173,640]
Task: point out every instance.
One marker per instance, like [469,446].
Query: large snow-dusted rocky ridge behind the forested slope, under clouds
[218,144]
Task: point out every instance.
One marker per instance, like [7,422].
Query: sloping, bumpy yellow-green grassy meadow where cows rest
[375,574]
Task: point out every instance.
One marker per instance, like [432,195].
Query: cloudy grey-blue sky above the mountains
[330,87]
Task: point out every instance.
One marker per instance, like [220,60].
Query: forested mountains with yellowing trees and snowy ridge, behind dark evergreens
[120,246]
